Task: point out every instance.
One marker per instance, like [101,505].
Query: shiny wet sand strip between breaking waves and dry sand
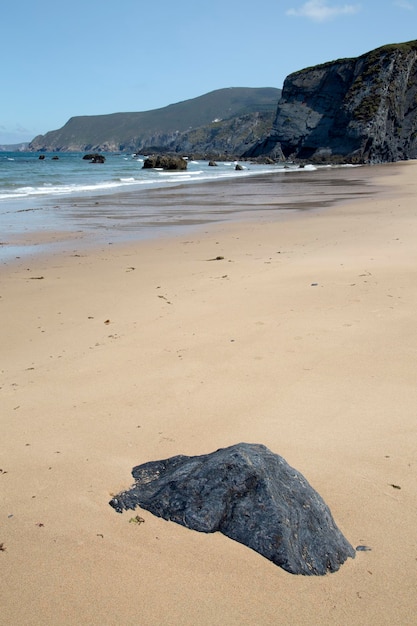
[126,216]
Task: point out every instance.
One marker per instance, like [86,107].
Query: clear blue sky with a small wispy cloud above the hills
[62,58]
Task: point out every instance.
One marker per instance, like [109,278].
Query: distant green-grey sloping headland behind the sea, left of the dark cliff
[205,121]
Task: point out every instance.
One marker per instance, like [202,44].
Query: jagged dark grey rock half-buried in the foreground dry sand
[249,494]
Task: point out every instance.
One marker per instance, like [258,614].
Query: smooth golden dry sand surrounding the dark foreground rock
[303,338]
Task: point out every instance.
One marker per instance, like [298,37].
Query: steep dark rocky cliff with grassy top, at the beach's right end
[360,110]
